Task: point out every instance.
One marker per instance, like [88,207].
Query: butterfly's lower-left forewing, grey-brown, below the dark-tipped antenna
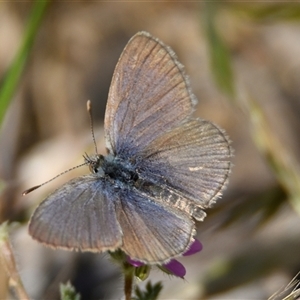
[80,215]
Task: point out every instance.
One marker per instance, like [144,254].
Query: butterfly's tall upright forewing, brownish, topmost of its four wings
[149,95]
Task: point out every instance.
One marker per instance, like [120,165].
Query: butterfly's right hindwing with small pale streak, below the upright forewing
[193,159]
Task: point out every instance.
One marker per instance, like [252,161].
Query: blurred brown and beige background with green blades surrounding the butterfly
[244,66]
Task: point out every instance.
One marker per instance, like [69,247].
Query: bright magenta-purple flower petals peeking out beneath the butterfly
[173,267]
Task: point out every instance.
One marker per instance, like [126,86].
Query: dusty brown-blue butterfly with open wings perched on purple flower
[163,167]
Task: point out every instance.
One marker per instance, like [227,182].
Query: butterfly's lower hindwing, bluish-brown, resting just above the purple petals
[152,232]
